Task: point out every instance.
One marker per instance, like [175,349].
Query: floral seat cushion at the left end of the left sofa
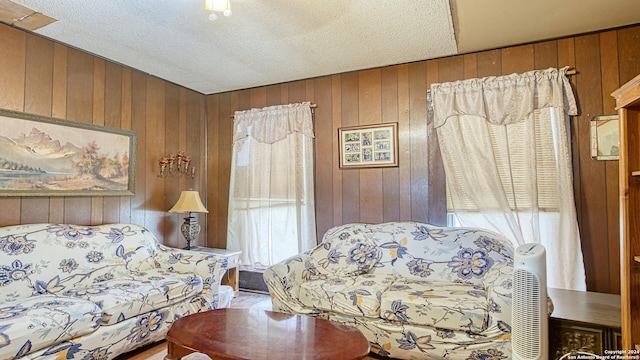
[30,324]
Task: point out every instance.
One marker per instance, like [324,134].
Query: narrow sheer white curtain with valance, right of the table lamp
[271,195]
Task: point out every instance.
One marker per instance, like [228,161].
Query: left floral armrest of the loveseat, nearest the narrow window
[284,280]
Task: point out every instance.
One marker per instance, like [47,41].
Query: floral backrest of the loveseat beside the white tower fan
[418,250]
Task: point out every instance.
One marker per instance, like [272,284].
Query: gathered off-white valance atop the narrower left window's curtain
[272,124]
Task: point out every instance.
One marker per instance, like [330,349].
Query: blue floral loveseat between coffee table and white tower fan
[414,290]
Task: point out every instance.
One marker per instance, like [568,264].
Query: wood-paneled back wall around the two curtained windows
[415,190]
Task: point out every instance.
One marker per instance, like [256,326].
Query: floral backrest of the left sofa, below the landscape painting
[50,258]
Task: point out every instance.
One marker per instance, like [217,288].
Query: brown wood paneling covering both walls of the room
[46,78]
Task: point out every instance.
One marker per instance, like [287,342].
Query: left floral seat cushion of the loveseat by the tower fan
[354,295]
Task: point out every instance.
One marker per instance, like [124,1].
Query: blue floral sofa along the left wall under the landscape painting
[94,292]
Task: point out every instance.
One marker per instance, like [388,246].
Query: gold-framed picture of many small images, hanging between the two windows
[369,146]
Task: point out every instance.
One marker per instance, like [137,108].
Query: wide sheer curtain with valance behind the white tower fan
[507,157]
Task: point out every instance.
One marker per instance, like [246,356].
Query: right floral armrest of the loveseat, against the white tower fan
[499,286]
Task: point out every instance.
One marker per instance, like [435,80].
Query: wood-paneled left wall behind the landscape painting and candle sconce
[46,78]
